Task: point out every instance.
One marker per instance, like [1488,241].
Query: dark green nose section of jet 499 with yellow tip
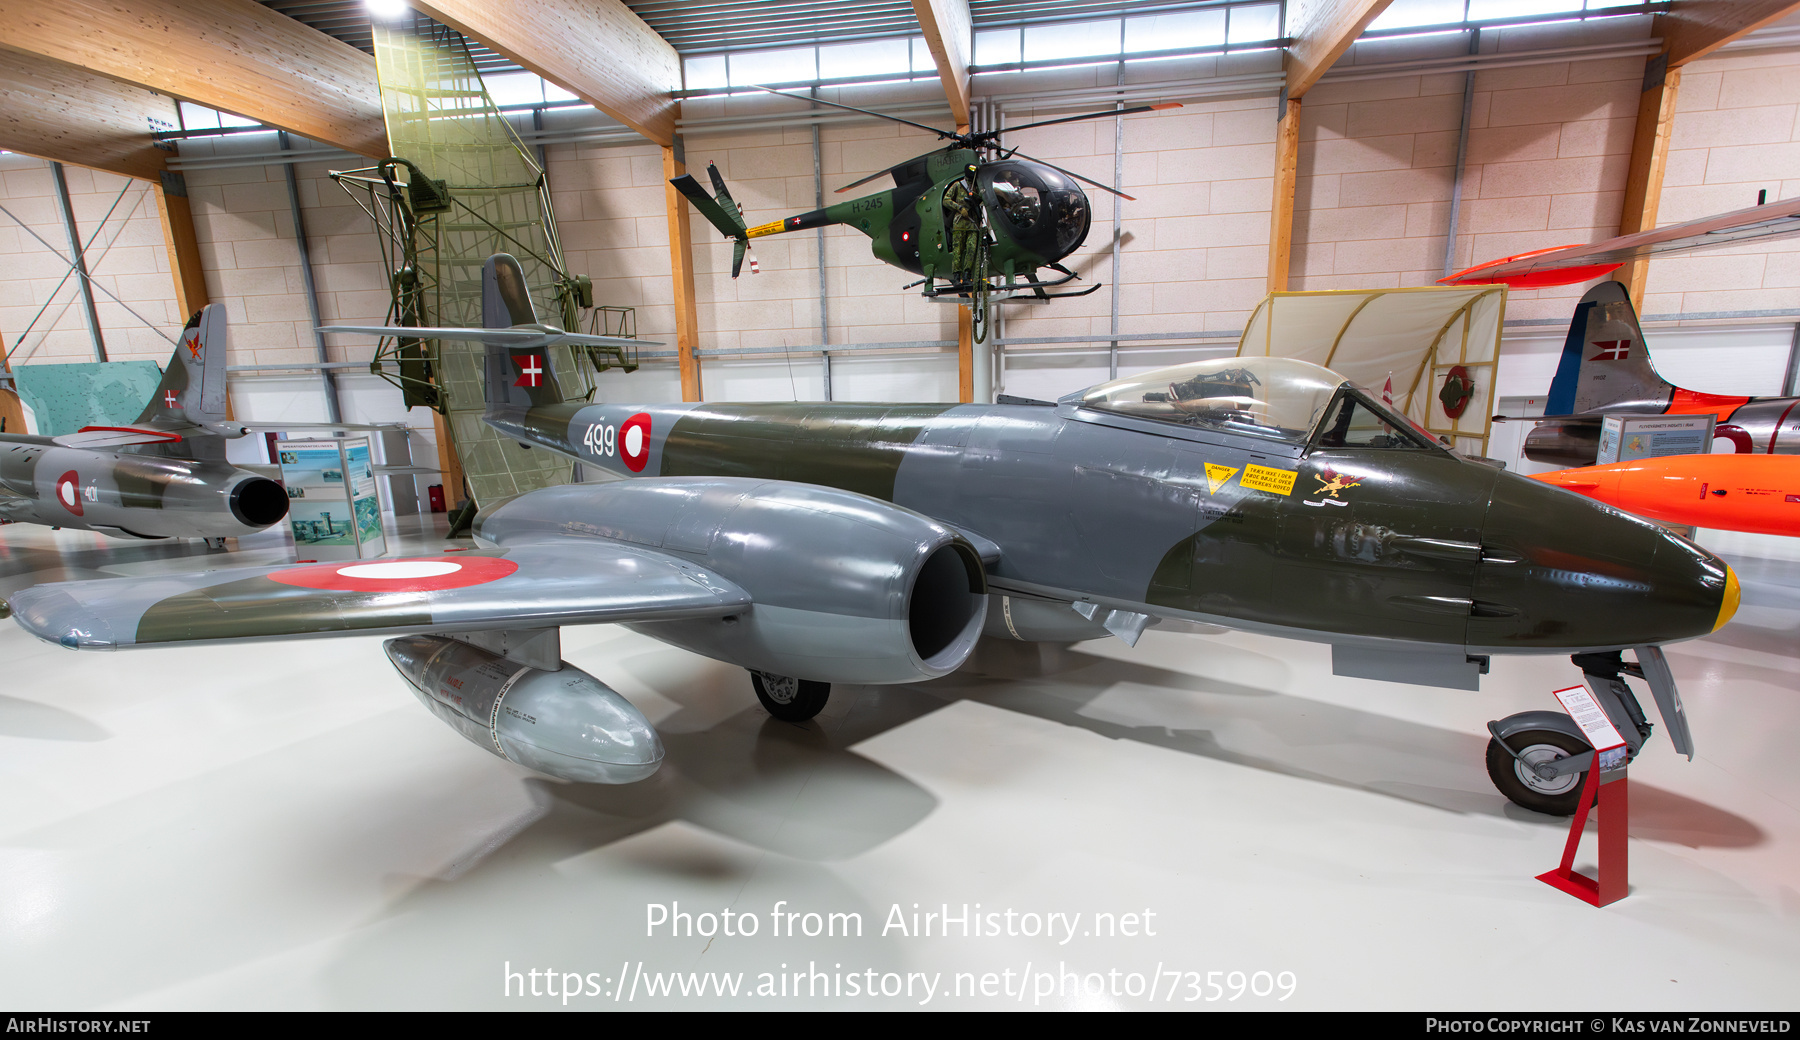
[1569,575]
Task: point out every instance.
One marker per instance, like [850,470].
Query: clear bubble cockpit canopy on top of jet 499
[1275,399]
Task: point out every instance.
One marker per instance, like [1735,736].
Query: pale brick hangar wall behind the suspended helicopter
[1547,163]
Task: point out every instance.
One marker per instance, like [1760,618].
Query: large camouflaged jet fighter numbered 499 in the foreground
[822,544]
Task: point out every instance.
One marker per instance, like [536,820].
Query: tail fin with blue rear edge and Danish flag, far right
[1606,364]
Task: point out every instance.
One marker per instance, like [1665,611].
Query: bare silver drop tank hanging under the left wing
[564,724]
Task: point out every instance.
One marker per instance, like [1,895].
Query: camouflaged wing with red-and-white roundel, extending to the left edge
[537,586]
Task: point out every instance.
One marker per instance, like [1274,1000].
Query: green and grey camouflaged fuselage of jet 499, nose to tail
[1347,546]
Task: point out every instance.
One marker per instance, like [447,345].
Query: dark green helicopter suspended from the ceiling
[973,219]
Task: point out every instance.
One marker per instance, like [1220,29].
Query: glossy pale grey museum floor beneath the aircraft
[283,827]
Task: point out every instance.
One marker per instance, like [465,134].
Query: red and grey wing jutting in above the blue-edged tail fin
[1578,264]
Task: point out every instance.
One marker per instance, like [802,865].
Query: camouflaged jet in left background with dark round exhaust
[161,478]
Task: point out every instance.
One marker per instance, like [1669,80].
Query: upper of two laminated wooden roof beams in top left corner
[228,55]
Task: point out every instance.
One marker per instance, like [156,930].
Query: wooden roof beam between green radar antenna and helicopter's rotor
[597,49]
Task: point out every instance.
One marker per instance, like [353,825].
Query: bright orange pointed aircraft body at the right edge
[1756,494]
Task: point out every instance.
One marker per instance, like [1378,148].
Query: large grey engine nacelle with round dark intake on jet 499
[845,587]
